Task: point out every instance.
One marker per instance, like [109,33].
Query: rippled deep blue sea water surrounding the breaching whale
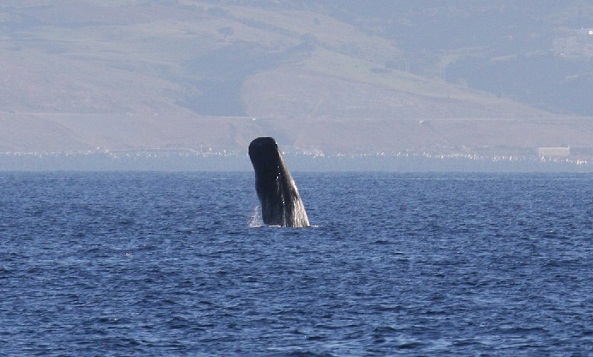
[147,264]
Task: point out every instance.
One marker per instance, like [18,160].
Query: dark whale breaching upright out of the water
[281,204]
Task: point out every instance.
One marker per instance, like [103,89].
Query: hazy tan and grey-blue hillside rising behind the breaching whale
[208,76]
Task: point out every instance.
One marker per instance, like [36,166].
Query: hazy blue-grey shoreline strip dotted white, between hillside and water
[184,161]
